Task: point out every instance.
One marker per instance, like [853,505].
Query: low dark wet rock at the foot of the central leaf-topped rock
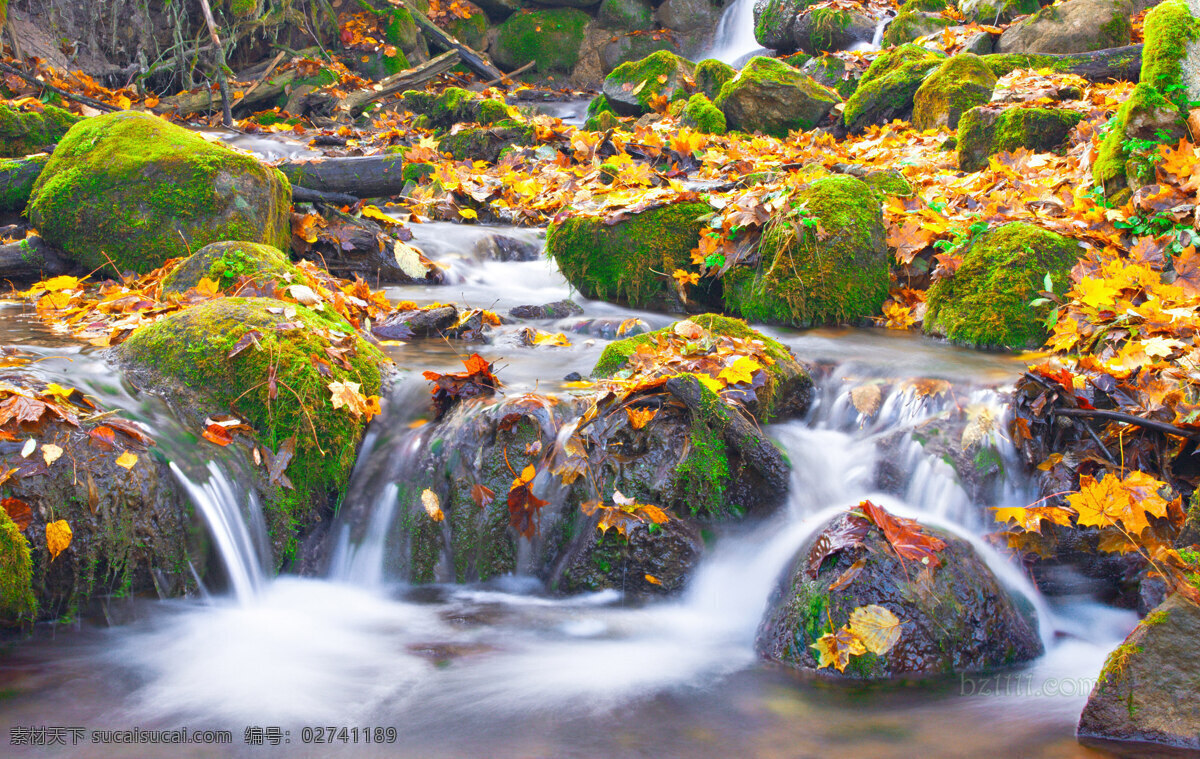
[649,563]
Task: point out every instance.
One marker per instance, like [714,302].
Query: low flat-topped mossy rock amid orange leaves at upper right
[986,132]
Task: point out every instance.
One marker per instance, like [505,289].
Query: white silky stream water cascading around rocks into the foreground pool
[503,670]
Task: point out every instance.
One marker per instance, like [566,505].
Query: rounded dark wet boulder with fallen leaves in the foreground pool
[956,618]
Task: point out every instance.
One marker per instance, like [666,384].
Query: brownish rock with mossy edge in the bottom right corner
[1150,688]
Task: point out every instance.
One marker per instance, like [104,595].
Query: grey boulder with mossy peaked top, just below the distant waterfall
[772,98]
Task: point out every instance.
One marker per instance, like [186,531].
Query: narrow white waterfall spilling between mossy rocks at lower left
[241,539]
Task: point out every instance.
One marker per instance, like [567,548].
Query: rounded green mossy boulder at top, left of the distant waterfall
[553,40]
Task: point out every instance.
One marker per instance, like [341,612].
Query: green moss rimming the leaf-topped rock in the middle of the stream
[779,379]
